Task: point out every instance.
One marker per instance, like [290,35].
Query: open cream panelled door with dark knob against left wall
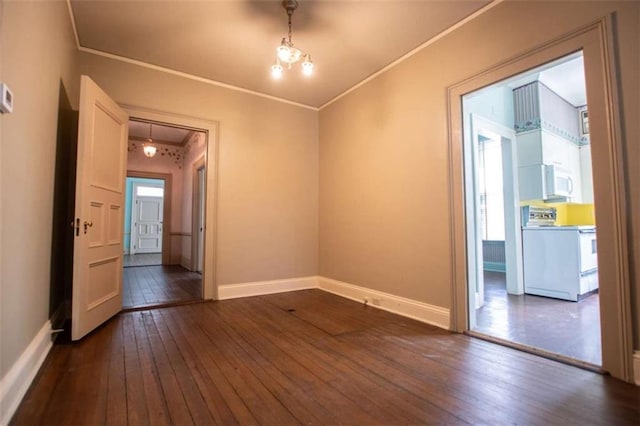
[100,188]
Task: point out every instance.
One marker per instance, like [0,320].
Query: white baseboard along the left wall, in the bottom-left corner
[16,382]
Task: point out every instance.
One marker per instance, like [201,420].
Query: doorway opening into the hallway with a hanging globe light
[161,270]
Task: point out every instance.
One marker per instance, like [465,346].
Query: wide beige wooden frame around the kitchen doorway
[596,42]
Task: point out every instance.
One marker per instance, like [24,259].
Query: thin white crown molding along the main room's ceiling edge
[188,76]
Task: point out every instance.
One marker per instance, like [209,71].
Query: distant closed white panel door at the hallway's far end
[147,224]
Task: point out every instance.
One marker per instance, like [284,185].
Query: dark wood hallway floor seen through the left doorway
[146,286]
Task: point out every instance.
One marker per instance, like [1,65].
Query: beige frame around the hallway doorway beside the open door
[211,129]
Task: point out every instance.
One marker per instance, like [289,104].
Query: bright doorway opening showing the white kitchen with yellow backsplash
[531,234]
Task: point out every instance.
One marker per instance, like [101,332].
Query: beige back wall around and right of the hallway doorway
[268,168]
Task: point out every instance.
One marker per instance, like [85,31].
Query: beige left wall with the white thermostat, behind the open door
[38,51]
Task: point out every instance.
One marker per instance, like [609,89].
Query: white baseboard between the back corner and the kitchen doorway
[419,311]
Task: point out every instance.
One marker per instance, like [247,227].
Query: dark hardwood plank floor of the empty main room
[308,357]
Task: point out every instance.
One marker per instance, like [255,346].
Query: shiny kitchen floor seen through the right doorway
[567,328]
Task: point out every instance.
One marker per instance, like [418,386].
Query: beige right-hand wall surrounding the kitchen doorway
[384,150]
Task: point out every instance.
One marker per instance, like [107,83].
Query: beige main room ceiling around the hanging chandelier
[233,41]
